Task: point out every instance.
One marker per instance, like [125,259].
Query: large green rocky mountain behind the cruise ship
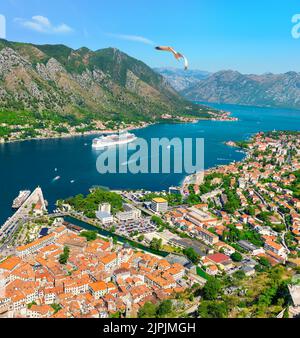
[104,84]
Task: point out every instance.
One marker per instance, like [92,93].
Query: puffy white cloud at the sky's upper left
[42,24]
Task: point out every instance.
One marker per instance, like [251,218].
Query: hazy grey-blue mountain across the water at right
[281,90]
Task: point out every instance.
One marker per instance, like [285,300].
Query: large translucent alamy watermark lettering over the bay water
[157,156]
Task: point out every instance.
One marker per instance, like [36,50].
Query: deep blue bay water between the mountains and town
[25,165]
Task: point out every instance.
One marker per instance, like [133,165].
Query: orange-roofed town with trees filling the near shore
[226,245]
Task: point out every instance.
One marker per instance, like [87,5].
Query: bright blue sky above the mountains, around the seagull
[248,36]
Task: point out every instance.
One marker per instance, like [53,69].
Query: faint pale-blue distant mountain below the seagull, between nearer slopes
[180,79]
